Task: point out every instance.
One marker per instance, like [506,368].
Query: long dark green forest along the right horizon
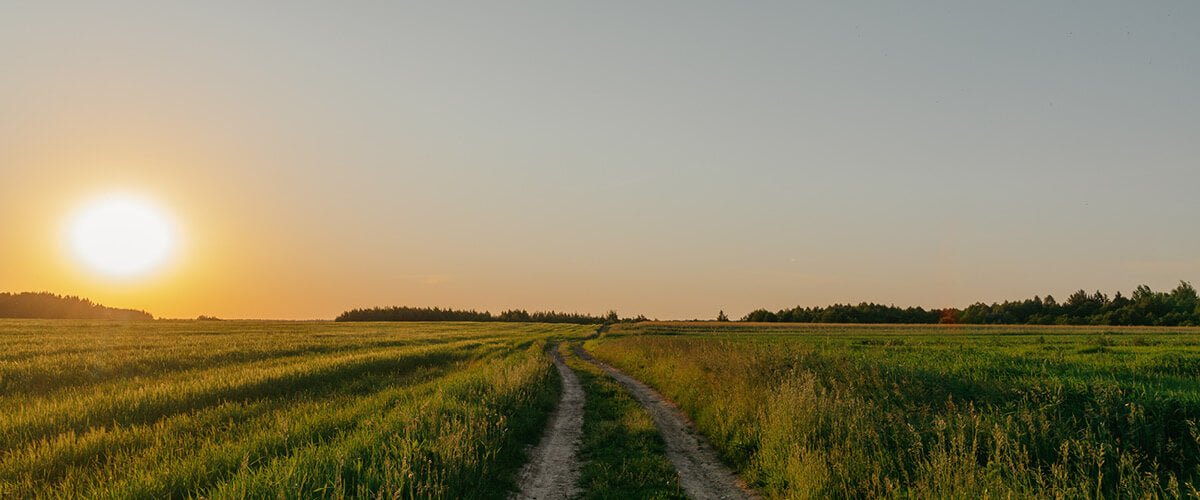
[1179,308]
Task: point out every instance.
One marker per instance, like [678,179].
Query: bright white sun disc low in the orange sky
[122,237]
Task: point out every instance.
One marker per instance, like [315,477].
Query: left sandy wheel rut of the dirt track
[554,471]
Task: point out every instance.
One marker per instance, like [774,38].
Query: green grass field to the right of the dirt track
[844,412]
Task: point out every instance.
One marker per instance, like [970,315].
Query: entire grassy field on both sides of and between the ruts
[277,409]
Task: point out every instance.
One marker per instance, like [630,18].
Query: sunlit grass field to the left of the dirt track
[410,411]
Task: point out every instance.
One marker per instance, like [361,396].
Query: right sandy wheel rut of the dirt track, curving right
[703,475]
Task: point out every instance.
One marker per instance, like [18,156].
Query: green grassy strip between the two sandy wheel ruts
[623,454]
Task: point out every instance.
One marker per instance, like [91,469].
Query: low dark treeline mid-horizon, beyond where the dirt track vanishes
[401,314]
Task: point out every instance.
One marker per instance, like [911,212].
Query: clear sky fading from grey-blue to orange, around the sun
[661,159]
